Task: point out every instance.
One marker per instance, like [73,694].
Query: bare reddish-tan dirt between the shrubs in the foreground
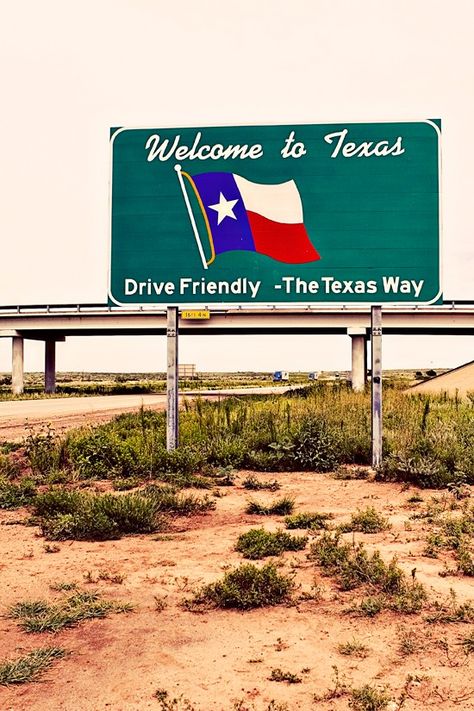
[222,660]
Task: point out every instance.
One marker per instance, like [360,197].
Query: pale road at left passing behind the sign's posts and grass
[16,416]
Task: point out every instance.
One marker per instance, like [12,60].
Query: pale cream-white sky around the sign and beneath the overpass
[70,70]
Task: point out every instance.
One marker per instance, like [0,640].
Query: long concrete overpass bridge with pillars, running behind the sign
[56,323]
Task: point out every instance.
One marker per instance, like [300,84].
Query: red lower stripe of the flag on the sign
[284,242]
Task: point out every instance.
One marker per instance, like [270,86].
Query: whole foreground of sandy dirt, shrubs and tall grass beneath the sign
[262,566]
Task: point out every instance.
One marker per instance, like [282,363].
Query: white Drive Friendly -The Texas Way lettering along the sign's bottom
[288,285]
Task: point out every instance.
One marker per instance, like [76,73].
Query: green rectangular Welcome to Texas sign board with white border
[299,214]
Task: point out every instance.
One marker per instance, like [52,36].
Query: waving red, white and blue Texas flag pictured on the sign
[242,215]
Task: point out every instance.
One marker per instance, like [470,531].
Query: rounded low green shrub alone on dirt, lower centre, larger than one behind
[244,588]
